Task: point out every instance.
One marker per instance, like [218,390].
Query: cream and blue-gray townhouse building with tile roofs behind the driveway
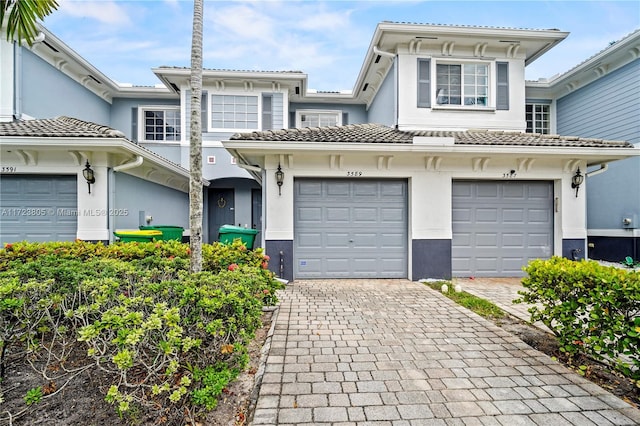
[446,183]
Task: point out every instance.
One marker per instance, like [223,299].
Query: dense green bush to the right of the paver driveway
[592,309]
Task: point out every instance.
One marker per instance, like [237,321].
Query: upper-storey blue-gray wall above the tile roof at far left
[45,92]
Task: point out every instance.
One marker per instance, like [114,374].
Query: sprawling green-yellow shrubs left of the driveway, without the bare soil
[169,340]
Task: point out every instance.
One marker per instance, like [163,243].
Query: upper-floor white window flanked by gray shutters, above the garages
[463,84]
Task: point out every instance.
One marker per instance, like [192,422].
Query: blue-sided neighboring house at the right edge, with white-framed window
[600,98]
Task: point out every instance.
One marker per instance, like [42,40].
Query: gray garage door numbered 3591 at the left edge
[38,208]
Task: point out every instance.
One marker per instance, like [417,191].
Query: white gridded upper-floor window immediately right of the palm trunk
[234,112]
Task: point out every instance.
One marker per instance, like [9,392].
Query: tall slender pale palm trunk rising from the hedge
[195,144]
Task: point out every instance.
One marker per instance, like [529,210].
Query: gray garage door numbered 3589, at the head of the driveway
[350,228]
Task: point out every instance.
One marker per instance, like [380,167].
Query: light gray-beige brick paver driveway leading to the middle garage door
[394,352]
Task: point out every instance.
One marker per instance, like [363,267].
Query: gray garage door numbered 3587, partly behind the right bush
[499,226]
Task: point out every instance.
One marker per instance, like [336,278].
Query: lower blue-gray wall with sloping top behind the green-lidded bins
[167,206]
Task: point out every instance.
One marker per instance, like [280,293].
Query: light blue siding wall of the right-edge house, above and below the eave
[608,108]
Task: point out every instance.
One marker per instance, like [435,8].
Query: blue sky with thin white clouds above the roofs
[325,39]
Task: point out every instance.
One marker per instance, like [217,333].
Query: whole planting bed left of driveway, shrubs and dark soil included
[124,334]
